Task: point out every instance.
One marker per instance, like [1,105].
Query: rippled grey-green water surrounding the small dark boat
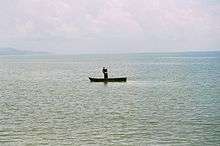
[169,99]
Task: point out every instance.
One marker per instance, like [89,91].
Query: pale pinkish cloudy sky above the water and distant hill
[110,26]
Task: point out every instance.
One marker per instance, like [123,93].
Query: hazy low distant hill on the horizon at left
[12,51]
